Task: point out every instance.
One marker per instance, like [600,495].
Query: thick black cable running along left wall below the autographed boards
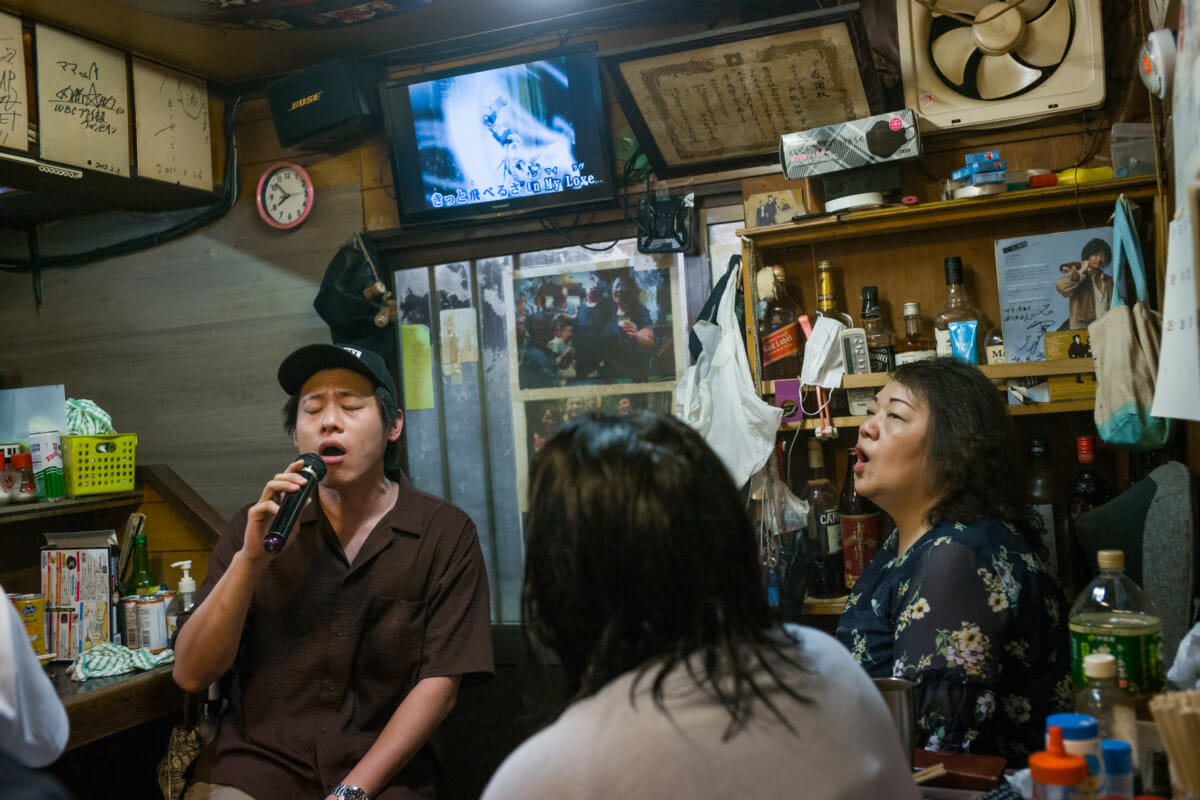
[211,214]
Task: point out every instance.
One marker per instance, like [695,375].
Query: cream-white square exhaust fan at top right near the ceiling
[973,63]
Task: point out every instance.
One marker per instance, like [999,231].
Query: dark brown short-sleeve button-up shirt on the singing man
[331,649]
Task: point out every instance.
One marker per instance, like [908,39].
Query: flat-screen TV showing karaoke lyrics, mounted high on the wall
[499,140]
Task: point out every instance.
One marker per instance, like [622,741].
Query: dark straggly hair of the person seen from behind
[640,555]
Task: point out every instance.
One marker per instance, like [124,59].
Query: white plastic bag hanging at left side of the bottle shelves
[719,400]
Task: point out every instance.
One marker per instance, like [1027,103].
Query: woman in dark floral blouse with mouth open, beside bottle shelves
[958,600]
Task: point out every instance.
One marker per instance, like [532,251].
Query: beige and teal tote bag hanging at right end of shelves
[1125,342]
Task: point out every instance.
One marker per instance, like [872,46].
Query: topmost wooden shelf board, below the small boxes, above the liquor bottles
[877,222]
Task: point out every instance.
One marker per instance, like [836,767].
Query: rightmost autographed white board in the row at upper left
[172,119]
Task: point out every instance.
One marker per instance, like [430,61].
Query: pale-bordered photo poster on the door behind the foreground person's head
[592,338]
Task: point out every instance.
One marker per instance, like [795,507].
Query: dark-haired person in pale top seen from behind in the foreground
[643,576]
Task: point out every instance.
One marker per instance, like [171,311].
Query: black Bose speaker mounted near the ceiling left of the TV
[328,107]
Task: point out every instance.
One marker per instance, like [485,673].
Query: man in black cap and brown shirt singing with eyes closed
[347,646]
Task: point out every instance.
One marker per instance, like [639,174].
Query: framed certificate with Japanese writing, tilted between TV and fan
[722,100]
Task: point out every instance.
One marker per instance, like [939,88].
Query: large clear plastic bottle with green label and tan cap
[1114,616]
